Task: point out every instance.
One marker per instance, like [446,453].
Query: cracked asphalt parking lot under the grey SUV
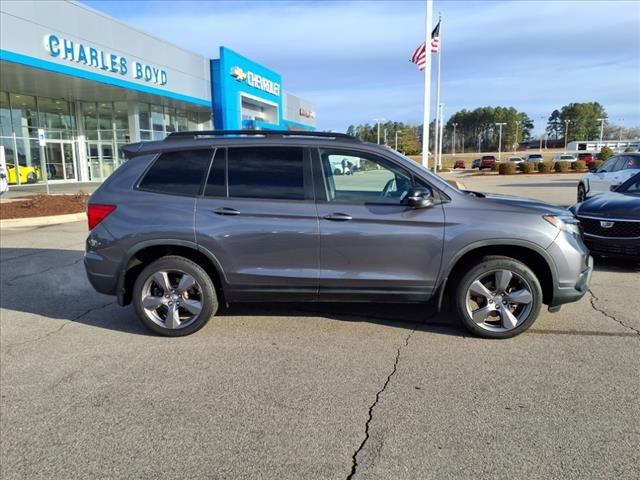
[307,391]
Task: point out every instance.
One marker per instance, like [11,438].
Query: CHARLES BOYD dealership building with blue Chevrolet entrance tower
[77,84]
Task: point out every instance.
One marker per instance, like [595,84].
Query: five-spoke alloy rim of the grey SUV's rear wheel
[172,299]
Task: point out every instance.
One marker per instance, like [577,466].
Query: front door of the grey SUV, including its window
[375,245]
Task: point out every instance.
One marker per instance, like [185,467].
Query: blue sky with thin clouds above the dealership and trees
[351,58]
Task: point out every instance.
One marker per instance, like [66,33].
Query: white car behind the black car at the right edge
[611,173]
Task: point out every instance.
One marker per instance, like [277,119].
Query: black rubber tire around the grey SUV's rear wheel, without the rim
[207,294]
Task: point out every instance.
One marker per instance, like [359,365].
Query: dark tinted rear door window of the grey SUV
[266,172]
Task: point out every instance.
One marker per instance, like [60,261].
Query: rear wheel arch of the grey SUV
[144,253]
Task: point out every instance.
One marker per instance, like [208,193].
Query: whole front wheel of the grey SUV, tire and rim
[499,297]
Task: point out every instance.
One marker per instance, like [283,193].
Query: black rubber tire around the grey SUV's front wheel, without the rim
[487,265]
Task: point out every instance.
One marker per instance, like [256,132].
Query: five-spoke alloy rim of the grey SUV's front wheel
[499,301]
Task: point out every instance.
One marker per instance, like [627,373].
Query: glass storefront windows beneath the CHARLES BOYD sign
[96,134]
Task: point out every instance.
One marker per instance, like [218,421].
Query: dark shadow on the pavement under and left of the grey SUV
[52,284]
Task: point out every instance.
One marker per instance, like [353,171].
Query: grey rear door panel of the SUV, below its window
[262,244]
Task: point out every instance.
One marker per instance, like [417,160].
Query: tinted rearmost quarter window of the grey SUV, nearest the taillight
[177,173]
